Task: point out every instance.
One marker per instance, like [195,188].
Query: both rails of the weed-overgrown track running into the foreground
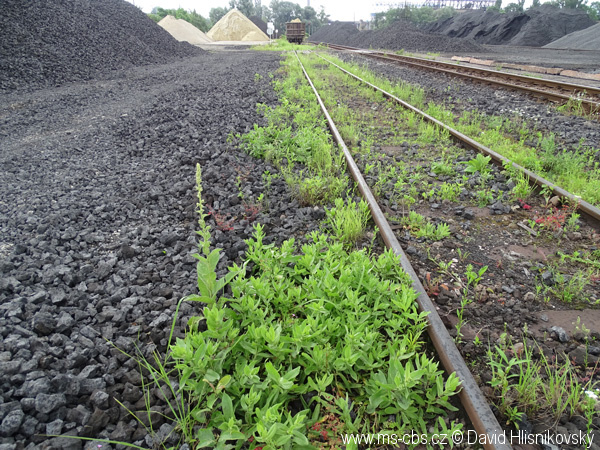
[473,401]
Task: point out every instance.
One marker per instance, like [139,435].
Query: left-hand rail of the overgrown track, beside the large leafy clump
[477,408]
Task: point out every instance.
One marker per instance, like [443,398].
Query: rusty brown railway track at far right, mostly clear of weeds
[586,97]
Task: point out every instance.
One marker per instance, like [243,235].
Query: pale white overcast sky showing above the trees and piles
[338,9]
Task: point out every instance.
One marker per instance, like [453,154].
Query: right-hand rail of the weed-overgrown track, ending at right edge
[583,206]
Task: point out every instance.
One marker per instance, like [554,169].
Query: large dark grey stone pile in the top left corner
[50,42]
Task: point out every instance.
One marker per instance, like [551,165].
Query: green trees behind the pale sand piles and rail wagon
[278,12]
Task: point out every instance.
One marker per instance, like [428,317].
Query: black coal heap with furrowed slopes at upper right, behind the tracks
[532,28]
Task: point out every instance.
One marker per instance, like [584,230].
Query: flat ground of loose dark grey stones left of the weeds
[97,230]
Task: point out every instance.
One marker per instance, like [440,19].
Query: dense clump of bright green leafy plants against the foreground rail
[320,336]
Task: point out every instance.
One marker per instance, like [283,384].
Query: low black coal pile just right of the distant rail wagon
[399,35]
